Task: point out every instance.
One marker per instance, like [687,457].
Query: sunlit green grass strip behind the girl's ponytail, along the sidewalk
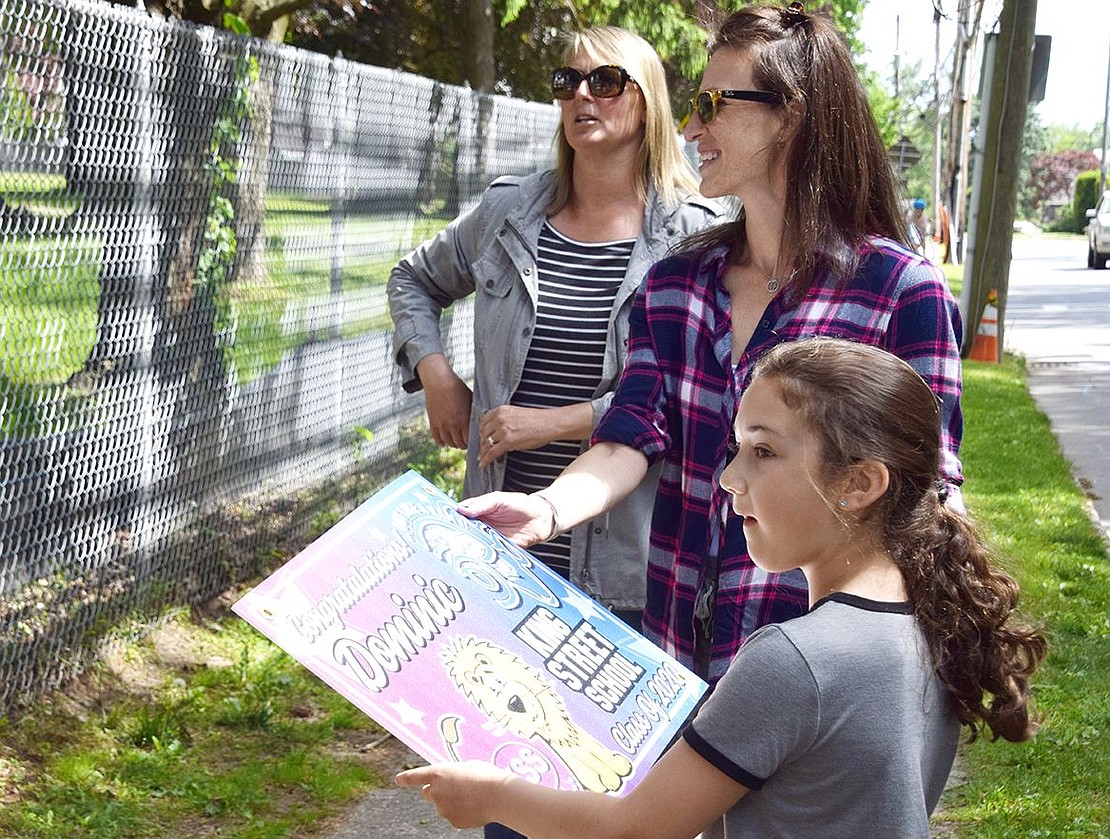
[1021,489]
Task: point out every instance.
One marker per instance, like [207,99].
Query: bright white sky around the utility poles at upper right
[1077,76]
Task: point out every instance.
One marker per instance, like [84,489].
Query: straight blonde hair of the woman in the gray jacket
[661,163]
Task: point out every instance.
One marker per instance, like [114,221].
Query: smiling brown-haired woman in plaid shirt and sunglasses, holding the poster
[820,248]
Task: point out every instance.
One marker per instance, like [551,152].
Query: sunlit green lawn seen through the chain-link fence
[49,291]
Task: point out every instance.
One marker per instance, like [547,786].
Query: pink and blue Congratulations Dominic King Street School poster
[463,646]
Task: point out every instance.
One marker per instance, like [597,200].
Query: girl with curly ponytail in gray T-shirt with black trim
[844,722]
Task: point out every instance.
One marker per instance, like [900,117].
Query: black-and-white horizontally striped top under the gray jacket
[579,284]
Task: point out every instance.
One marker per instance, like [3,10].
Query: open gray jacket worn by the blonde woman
[491,252]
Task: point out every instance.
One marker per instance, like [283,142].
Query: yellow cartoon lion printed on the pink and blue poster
[517,698]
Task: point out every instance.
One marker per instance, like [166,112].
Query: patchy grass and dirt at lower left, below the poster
[240,742]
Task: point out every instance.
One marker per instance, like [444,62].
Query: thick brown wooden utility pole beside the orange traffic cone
[1002,128]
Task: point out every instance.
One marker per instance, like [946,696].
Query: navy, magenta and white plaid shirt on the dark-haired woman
[678,400]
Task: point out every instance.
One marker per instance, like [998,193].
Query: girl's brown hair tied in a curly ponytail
[866,405]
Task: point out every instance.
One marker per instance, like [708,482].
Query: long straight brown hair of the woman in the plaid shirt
[841,187]
